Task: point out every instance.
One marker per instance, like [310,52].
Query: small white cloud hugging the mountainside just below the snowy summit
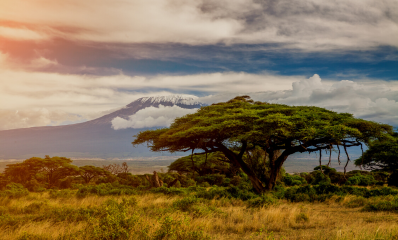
[152,117]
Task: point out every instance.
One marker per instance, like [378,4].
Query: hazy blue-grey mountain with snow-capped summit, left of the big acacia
[94,138]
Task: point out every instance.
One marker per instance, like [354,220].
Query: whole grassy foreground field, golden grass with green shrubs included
[146,215]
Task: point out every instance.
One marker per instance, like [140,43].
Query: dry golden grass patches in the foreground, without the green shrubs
[227,219]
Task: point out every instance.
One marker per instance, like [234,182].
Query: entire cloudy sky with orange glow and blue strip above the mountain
[70,61]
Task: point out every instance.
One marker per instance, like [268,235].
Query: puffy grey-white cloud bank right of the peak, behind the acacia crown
[371,100]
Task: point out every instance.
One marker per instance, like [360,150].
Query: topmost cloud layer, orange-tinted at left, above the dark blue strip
[304,24]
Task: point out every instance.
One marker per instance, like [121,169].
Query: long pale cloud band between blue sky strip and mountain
[92,96]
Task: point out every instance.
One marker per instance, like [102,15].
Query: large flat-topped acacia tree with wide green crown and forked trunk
[240,125]
